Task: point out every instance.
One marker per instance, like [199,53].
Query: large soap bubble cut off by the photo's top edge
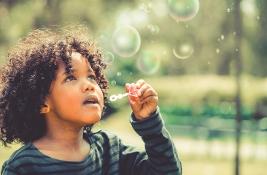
[183,10]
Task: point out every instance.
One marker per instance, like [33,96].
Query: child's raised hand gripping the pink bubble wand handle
[144,102]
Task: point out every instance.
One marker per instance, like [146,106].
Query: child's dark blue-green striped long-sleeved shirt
[108,156]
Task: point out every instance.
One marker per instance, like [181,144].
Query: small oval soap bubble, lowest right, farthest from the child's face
[184,51]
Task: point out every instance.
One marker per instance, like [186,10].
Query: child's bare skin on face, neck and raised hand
[67,115]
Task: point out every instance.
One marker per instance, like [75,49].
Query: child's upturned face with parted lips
[76,97]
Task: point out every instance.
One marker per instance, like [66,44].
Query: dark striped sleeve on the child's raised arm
[160,156]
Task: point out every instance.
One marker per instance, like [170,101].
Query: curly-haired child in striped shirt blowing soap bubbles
[53,90]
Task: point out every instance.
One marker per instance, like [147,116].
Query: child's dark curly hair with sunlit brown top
[26,78]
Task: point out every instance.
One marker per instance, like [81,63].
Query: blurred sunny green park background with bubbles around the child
[207,60]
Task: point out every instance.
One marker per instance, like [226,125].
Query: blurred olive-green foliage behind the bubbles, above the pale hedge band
[210,33]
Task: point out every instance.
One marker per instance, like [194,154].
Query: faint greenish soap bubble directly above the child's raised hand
[148,63]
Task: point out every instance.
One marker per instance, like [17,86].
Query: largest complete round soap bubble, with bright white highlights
[126,41]
